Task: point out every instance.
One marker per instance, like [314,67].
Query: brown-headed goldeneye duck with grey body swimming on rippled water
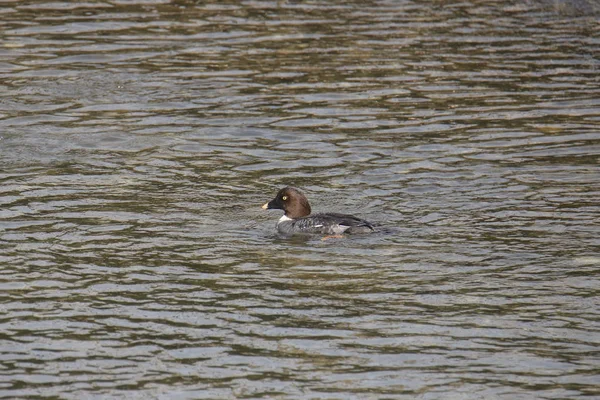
[297,218]
